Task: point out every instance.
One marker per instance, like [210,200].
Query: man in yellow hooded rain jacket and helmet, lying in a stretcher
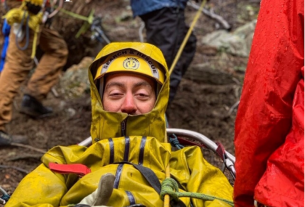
[126,163]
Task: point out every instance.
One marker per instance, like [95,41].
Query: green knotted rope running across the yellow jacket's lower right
[170,187]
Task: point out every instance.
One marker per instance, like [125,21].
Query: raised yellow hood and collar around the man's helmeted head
[112,124]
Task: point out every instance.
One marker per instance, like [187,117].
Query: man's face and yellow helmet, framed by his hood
[130,84]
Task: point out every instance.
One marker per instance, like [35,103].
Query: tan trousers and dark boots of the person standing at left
[17,66]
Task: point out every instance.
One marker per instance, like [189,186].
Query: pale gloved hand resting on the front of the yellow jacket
[101,195]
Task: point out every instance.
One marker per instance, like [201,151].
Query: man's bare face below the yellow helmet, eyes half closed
[129,93]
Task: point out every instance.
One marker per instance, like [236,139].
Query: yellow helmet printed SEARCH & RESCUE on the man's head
[129,60]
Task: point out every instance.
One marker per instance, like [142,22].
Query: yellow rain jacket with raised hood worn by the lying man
[120,143]
